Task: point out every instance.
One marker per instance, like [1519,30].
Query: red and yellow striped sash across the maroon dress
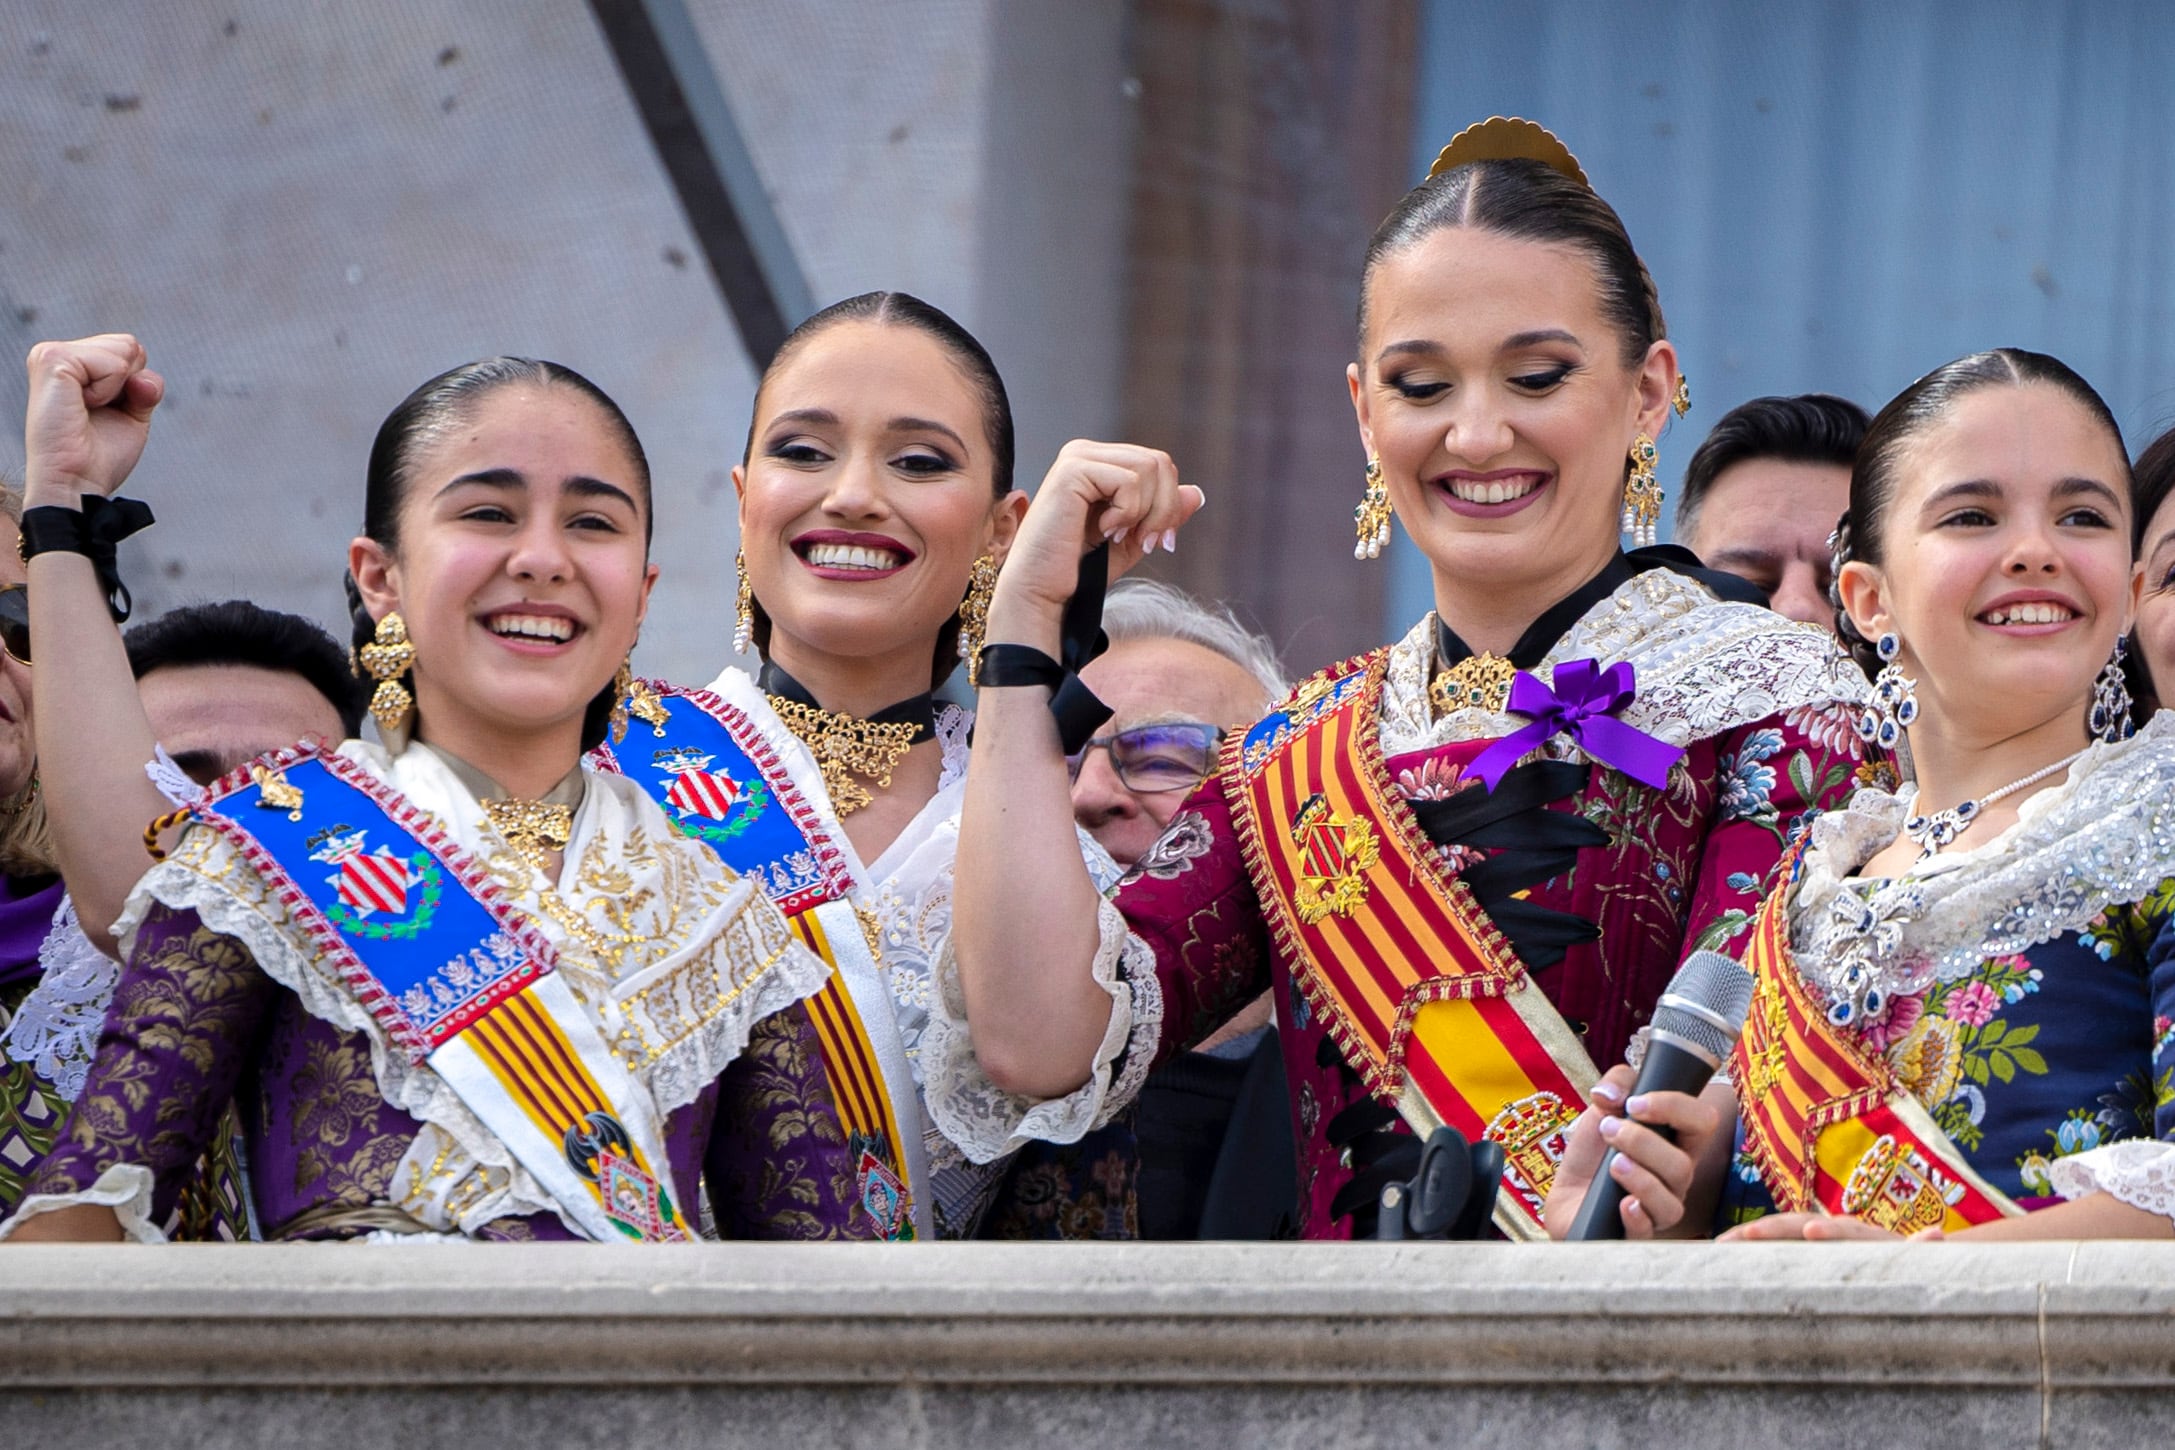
[1415,984]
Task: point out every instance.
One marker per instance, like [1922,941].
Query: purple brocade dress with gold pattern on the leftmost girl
[197,1023]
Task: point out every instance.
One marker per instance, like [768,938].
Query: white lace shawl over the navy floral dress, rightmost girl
[2100,838]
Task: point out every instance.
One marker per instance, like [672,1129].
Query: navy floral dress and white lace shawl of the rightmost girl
[2026,986]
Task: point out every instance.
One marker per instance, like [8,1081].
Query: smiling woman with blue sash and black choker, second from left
[875,512]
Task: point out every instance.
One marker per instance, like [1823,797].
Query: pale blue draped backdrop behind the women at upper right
[1841,197]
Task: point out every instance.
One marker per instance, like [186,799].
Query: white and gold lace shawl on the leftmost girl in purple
[697,936]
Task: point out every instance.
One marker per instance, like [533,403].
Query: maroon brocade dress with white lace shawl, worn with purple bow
[1600,884]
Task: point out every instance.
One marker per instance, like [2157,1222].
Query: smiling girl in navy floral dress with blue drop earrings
[1963,990]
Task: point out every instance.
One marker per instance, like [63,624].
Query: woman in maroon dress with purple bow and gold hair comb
[1513,375]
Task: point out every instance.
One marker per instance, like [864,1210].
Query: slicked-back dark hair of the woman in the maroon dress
[1532,201]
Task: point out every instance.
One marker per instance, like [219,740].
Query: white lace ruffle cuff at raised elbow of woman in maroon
[984,1121]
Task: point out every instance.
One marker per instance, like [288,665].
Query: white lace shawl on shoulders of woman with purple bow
[1704,666]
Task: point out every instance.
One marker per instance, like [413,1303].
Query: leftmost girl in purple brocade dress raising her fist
[456,984]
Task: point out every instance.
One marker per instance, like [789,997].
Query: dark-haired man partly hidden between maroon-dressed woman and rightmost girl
[1765,490]
